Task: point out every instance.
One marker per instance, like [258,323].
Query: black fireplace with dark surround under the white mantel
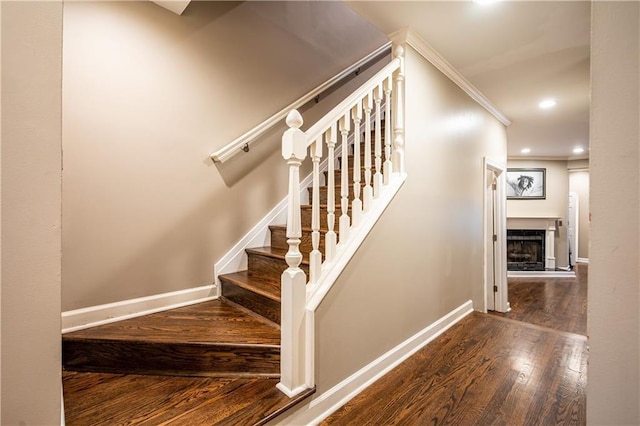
[525,250]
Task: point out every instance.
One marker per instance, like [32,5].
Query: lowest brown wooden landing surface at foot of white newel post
[108,399]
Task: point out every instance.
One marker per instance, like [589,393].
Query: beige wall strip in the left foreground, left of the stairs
[31,202]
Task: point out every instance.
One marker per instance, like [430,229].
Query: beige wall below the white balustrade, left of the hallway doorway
[425,256]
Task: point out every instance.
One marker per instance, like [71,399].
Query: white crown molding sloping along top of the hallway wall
[413,39]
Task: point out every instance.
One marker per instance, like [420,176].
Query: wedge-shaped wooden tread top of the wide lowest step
[213,322]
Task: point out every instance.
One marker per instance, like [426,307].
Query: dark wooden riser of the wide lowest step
[134,357]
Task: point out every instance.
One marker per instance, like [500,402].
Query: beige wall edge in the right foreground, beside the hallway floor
[613,392]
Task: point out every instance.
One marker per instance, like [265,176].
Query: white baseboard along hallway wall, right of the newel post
[328,402]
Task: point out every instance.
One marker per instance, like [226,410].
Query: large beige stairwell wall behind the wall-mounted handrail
[148,95]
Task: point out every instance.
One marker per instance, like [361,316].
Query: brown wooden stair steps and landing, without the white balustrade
[216,362]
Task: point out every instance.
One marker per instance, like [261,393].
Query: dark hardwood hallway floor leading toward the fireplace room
[492,369]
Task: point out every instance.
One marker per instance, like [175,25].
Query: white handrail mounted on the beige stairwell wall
[242,143]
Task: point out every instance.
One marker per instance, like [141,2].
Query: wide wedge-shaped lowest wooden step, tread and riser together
[215,338]
